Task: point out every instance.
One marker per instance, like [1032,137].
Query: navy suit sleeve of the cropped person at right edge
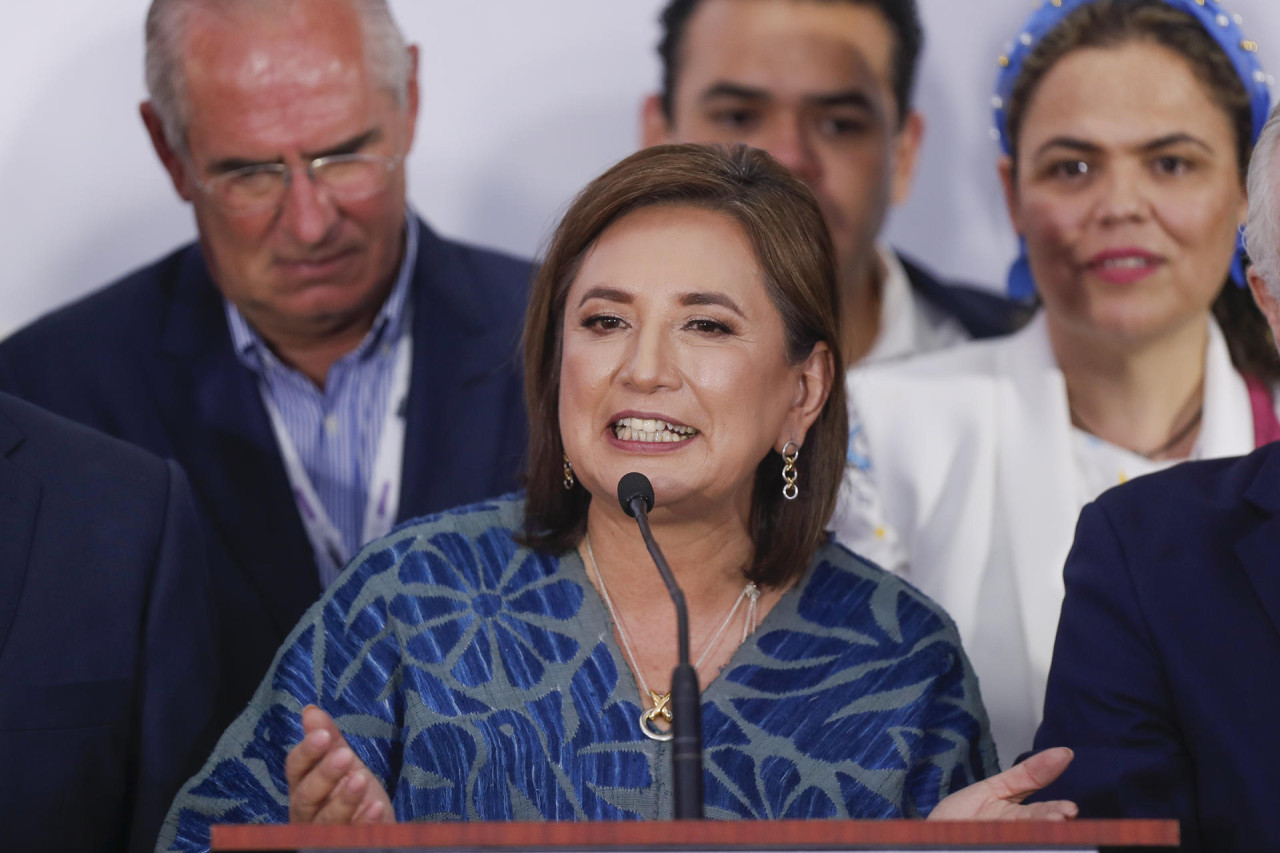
[1109,697]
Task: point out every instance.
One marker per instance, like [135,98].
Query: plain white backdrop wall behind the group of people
[524,102]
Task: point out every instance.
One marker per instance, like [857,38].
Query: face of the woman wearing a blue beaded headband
[1128,194]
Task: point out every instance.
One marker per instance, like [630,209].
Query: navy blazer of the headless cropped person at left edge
[107,638]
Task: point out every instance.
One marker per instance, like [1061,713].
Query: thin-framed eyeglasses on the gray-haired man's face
[349,177]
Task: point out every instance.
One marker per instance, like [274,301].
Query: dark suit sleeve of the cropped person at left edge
[179,668]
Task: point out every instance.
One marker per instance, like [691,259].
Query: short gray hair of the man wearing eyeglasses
[167,26]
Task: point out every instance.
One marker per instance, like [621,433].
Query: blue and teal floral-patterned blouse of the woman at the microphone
[482,681]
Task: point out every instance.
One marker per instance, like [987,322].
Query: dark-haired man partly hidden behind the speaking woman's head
[826,88]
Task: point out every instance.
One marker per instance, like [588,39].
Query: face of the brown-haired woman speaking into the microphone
[675,364]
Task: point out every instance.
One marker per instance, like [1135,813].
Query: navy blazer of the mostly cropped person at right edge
[1167,670]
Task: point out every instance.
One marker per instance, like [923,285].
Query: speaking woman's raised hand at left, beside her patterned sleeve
[328,784]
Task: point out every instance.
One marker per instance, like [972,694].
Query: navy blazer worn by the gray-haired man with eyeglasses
[150,361]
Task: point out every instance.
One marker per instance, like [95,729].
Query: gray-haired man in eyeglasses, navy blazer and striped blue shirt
[319,362]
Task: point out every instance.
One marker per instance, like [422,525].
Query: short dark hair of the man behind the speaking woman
[903,19]
